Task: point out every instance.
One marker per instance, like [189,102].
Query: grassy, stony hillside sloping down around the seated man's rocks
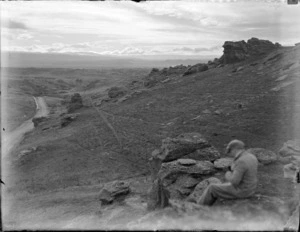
[59,182]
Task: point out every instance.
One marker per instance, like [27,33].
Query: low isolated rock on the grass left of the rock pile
[113,190]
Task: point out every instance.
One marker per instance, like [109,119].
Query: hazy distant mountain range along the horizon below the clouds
[57,60]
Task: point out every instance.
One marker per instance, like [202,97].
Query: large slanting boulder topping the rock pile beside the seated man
[184,144]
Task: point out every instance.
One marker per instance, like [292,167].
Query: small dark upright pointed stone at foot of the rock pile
[158,196]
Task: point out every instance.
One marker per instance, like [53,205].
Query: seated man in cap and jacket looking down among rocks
[242,179]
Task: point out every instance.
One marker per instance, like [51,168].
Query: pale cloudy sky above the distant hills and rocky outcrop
[173,29]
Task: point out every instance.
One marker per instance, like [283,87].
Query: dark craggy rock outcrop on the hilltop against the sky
[240,50]
